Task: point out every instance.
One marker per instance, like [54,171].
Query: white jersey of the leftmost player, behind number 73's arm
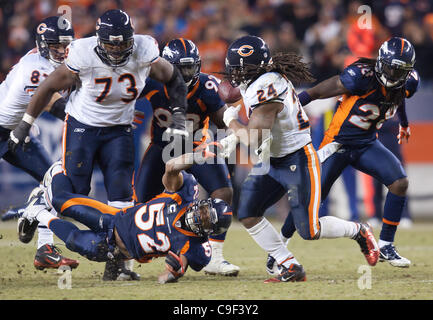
[19,86]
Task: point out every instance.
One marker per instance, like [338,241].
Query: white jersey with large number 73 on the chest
[107,95]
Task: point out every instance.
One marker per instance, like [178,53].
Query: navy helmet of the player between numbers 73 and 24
[184,54]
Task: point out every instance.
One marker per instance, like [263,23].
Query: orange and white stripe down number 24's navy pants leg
[315,191]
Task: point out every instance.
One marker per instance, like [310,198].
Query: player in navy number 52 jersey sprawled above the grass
[174,224]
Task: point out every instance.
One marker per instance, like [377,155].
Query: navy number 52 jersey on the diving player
[155,227]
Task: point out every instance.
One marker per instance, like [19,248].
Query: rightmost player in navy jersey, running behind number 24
[372,91]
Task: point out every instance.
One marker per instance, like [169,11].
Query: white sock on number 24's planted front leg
[269,240]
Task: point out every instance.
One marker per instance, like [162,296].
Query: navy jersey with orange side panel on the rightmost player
[361,113]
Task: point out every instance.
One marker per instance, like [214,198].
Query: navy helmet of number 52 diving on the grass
[208,217]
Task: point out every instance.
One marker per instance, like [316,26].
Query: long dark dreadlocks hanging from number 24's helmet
[288,64]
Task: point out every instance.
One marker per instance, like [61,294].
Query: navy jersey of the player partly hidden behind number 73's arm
[203,100]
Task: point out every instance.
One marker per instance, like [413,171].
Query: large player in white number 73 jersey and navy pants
[109,71]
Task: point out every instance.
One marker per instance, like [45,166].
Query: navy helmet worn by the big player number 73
[115,35]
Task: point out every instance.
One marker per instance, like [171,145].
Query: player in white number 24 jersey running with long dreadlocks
[294,168]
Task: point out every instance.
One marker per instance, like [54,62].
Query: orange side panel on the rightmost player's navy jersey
[340,116]
